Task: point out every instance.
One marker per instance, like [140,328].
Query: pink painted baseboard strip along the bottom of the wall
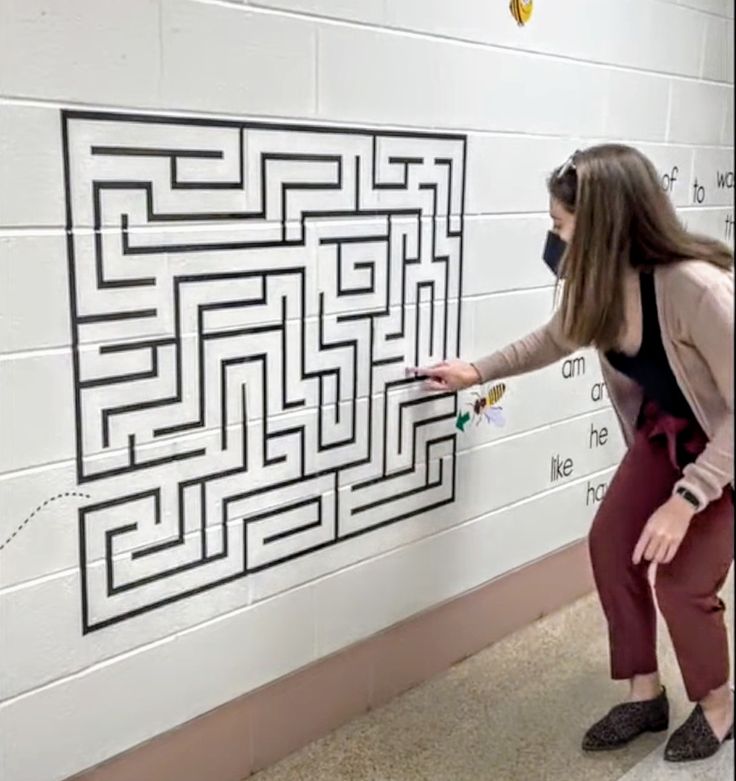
[260,728]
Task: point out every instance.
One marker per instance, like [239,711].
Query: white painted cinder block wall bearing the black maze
[119,623]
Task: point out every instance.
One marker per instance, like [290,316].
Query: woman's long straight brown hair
[623,218]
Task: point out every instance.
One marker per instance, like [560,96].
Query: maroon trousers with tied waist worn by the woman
[687,588]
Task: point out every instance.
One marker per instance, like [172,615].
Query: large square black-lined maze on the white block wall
[221,498]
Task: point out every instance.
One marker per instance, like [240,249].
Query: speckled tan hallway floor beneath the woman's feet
[514,712]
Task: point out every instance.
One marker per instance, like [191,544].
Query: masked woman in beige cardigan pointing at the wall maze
[657,303]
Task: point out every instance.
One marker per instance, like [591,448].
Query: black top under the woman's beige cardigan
[650,366]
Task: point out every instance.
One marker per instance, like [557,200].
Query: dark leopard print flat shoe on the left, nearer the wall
[626,722]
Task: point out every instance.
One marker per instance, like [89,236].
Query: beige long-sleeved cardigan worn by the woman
[695,303]
